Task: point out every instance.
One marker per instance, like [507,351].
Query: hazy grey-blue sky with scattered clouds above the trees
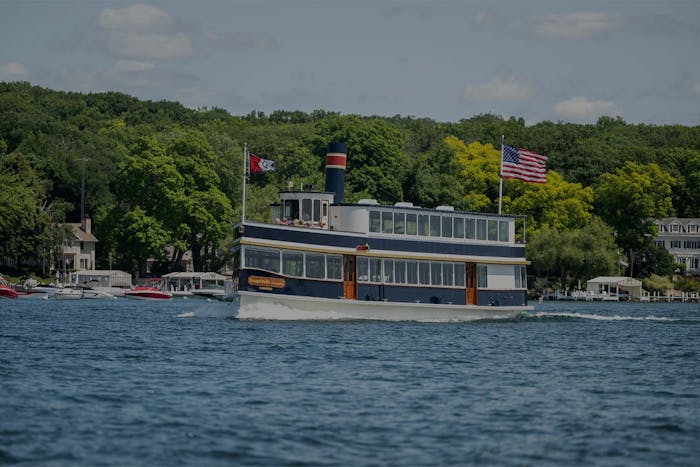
[555,60]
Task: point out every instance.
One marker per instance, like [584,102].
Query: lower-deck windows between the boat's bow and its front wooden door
[295,263]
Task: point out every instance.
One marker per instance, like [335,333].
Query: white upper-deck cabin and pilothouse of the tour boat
[399,221]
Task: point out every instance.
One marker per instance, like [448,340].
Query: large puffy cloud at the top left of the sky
[143,31]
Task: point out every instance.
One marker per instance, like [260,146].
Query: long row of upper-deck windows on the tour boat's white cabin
[435,225]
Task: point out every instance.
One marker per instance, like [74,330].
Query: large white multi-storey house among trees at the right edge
[681,238]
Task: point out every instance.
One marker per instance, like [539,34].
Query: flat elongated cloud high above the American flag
[574,25]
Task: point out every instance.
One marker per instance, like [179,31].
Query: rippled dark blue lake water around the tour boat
[147,383]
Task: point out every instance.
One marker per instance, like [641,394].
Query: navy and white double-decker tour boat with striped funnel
[321,258]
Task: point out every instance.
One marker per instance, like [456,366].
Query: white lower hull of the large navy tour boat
[265,306]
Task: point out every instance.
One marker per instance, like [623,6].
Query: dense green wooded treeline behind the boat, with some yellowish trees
[161,179]
